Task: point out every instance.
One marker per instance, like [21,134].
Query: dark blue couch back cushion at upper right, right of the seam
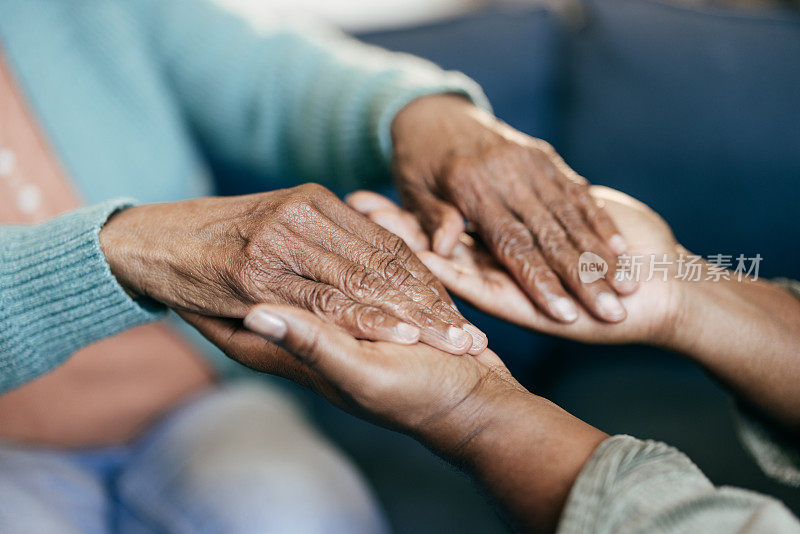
[697,113]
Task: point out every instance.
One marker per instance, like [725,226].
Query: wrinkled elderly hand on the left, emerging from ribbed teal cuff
[301,246]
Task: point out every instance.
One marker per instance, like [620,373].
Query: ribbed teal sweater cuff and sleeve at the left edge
[57,293]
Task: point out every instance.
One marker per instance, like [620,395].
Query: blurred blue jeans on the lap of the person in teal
[234,459]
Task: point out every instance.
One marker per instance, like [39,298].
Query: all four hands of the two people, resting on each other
[359,313]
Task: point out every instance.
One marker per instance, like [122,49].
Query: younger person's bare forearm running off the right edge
[747,334]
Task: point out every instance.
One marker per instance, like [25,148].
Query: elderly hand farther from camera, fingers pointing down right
[454,161]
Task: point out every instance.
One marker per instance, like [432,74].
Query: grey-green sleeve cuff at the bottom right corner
[633,486]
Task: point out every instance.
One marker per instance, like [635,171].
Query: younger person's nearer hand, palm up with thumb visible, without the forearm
[406,387]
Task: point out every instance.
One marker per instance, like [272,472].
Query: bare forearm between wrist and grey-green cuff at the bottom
[527,453]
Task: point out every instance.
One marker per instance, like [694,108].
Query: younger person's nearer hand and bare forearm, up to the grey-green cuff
[524,449]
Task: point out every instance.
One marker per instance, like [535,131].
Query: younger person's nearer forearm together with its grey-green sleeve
[548,471]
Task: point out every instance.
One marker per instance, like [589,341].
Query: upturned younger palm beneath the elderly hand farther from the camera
[473,275]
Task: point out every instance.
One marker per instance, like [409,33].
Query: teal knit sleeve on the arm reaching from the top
[304,103]
